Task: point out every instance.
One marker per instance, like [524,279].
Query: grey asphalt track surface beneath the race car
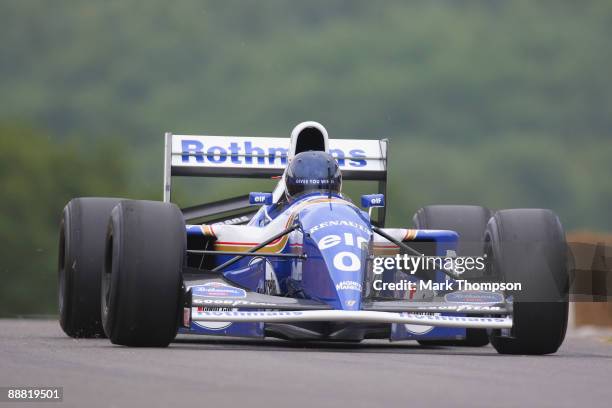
[208,372]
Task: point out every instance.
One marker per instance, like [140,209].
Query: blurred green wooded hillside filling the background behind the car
[502,103]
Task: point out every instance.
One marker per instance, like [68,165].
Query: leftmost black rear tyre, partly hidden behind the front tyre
[80,260]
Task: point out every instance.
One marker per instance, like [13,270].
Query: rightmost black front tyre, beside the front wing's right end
[527,246]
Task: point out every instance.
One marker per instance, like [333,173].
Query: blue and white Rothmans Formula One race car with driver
[305,262]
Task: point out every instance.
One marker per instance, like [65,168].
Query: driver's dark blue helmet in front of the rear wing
[312,171]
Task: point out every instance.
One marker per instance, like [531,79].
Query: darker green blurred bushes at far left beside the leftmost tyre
[38,177]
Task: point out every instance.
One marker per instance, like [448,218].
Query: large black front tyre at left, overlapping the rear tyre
[142,278]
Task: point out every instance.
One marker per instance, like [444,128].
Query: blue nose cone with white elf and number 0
[337,236]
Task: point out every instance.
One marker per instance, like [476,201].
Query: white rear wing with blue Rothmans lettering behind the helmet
[264,157]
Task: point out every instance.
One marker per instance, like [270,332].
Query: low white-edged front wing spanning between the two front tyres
[225,302]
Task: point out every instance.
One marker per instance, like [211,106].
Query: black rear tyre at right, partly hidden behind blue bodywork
[470,222]
